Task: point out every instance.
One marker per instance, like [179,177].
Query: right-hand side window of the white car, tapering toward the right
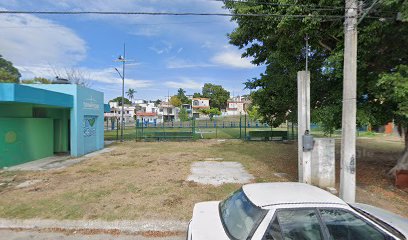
[343,225]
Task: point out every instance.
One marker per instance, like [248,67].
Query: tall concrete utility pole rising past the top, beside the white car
[348,141]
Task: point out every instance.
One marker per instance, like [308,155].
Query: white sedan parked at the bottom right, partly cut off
[295,211]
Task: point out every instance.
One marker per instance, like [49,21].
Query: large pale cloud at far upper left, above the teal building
[26,40]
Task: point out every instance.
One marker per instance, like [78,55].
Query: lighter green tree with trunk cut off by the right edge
[393,93]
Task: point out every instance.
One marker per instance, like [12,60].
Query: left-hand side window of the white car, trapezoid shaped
[295,224]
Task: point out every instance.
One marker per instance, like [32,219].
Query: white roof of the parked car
[281,193]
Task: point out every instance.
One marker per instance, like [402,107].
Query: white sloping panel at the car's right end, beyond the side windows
[394,220]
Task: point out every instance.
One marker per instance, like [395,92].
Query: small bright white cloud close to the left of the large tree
[232,58]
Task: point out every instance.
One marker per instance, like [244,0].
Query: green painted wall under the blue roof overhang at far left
[25,139]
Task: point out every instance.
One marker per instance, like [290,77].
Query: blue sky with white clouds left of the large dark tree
[169,52]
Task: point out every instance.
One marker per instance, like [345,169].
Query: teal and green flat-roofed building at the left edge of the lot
[40,120]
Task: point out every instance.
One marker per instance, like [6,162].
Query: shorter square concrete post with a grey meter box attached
[304,157]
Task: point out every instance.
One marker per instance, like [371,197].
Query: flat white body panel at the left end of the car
[206,223]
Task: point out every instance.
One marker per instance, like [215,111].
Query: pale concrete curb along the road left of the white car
[123,226]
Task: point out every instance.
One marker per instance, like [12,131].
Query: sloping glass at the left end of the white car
[239,216]
